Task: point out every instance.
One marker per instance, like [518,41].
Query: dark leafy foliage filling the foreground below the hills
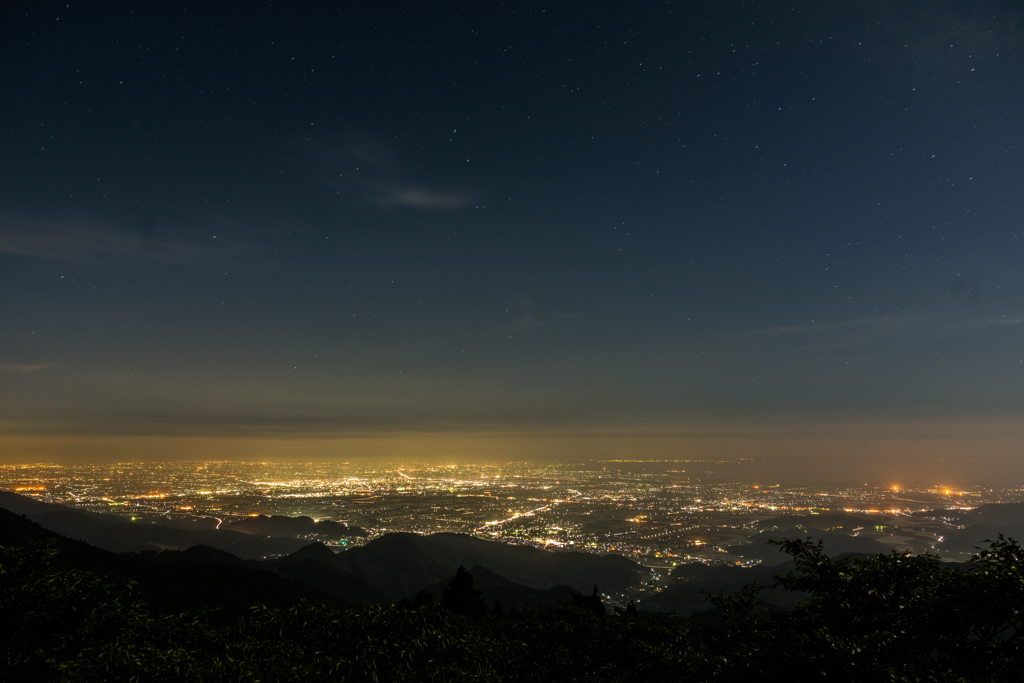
[890,618]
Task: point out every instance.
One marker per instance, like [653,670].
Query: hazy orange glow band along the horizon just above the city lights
[903,449]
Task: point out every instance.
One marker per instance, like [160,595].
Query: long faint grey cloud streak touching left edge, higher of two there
[87,243]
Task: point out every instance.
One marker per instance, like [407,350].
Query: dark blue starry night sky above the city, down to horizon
[790,232]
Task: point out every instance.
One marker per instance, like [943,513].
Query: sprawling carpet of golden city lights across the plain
[645,516]
